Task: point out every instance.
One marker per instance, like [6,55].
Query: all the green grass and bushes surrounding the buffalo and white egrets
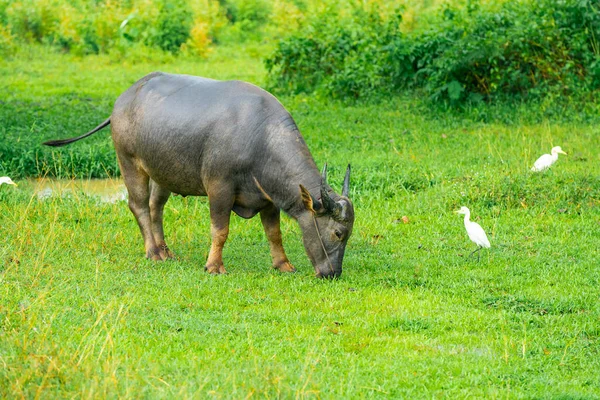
[82,314]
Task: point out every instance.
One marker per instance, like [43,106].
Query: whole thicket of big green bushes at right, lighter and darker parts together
[518,49]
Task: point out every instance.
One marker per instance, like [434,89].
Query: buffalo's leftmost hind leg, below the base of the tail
[137,183]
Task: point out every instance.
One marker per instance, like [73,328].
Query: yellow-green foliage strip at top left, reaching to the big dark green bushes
[122,27]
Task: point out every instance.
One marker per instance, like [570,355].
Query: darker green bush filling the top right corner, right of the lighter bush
[523,50]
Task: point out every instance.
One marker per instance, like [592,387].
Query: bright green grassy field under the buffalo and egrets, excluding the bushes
[83,314]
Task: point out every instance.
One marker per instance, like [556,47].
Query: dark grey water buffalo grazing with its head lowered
[236,144]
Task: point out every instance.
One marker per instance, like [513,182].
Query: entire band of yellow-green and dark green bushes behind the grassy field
[457,51]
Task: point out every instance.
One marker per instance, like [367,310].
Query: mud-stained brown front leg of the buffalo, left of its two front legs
[221,203]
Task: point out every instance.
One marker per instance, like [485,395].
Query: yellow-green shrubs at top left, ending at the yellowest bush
[109,26]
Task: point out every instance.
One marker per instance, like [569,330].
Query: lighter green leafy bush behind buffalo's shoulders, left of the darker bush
[343,54]
